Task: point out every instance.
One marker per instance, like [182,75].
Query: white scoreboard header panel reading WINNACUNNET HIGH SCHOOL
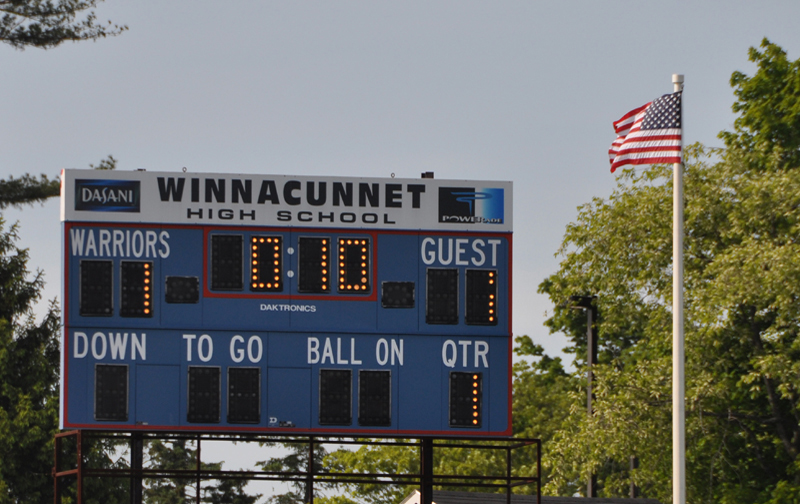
[283,200]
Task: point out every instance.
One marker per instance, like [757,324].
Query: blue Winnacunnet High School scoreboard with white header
[257,303]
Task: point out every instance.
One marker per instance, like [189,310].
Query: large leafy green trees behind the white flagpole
[742,307]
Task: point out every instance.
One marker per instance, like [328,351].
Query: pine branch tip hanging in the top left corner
[47,23]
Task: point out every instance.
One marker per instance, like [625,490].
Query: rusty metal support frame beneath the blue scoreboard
[427,478]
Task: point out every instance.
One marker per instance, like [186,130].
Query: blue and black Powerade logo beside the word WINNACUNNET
[471,205]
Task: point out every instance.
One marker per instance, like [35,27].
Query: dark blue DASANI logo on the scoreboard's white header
[107,195]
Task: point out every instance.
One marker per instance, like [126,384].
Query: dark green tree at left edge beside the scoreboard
[29,356]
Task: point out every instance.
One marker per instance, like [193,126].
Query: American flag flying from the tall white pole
[649,134]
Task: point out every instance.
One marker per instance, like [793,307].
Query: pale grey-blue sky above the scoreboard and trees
[520,91]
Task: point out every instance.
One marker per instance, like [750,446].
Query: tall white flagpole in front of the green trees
[678,378]
